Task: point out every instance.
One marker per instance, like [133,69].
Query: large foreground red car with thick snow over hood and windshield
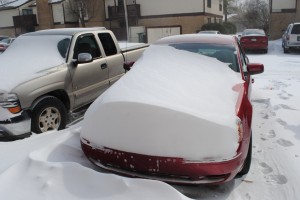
[182,114]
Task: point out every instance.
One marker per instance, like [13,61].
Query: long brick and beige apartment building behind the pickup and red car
[147,20]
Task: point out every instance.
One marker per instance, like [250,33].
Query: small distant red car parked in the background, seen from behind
[254,39]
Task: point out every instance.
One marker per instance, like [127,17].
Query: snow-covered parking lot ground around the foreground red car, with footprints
[52,165]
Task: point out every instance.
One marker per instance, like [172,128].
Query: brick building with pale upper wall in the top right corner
[282,13]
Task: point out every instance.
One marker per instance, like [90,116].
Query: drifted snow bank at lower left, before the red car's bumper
[54,172]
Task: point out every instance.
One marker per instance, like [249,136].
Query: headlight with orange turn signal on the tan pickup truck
[10,102]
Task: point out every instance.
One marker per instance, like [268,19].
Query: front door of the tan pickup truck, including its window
[89,79]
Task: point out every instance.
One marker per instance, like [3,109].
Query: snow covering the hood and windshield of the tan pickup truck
[29,57]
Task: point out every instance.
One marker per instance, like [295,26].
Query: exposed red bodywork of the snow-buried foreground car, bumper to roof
[179,170]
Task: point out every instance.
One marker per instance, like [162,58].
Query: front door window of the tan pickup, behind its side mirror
[87,44]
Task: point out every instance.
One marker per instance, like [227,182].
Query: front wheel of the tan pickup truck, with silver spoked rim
[48,114]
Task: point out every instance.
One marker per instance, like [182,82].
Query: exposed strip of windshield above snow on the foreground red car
[223,53]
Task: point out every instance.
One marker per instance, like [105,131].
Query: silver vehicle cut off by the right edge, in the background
[291,37]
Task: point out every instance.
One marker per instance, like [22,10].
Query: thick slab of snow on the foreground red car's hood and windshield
[171,103]
